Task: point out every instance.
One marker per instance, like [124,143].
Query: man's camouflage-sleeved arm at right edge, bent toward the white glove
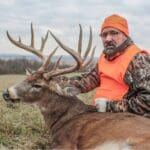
[137,100]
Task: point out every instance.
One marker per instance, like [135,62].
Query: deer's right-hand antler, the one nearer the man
[80,62]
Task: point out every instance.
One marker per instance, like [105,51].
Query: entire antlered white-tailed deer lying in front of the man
[73,124]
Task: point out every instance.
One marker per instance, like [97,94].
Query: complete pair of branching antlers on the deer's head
[80,62]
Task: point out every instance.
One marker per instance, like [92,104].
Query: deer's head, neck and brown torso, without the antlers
[75,125]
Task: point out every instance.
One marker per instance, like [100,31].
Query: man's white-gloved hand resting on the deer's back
[101,104]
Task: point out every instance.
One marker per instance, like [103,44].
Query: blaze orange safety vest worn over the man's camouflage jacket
[112,85]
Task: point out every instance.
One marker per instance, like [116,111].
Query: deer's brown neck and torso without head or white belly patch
[74,125]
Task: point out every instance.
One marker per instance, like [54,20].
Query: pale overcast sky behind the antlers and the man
[63,16]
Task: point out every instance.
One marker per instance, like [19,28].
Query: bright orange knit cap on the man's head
[117,22]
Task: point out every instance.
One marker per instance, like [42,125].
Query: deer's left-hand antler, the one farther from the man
[31,48]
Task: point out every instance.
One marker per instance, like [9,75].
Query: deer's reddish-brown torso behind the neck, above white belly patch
[90,130]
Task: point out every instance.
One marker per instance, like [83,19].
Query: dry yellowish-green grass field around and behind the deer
[22,126]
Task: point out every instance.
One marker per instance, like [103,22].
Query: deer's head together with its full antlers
[42,83]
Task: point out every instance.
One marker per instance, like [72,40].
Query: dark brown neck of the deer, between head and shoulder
[57,110]
